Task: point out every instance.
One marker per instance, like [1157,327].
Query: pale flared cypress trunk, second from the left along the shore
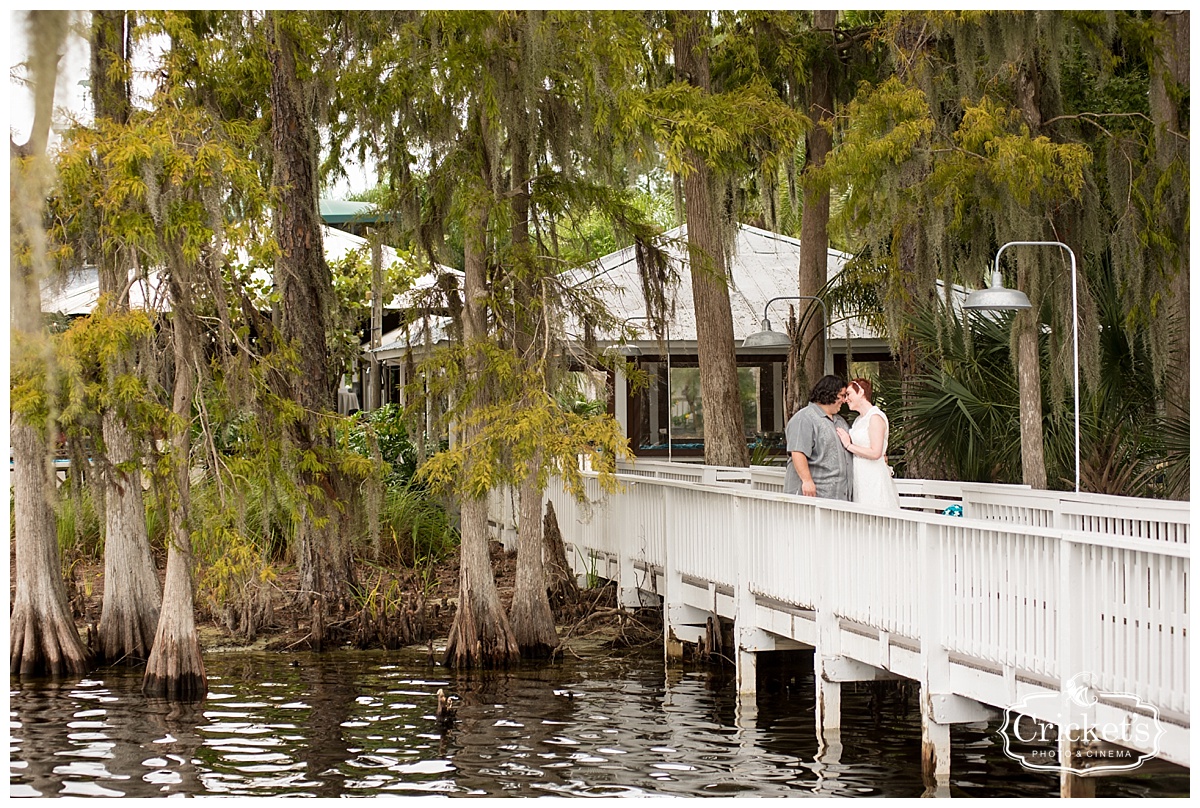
[130,612]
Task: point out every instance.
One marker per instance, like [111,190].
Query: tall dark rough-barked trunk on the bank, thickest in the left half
[305,284]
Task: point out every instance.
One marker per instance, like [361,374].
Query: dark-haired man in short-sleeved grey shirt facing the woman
[819,466]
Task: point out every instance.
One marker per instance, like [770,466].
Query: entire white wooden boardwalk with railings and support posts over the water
[1022,602]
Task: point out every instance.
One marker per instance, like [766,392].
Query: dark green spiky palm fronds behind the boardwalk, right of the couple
[965,411]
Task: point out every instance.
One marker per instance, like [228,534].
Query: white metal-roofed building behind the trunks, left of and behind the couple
[667,418]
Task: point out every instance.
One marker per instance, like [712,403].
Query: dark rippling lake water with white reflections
[363,725]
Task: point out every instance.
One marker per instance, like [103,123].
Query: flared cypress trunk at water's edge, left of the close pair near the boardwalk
[481,636]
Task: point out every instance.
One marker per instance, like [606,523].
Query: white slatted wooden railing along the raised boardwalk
[1039,584]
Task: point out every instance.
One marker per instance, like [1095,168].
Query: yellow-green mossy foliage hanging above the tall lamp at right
[1000,127]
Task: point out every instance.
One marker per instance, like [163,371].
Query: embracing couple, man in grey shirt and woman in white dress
[830,459]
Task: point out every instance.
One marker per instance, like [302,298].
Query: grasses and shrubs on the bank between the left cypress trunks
[403,544]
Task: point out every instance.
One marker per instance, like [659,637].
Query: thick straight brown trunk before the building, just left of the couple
[725,444]
